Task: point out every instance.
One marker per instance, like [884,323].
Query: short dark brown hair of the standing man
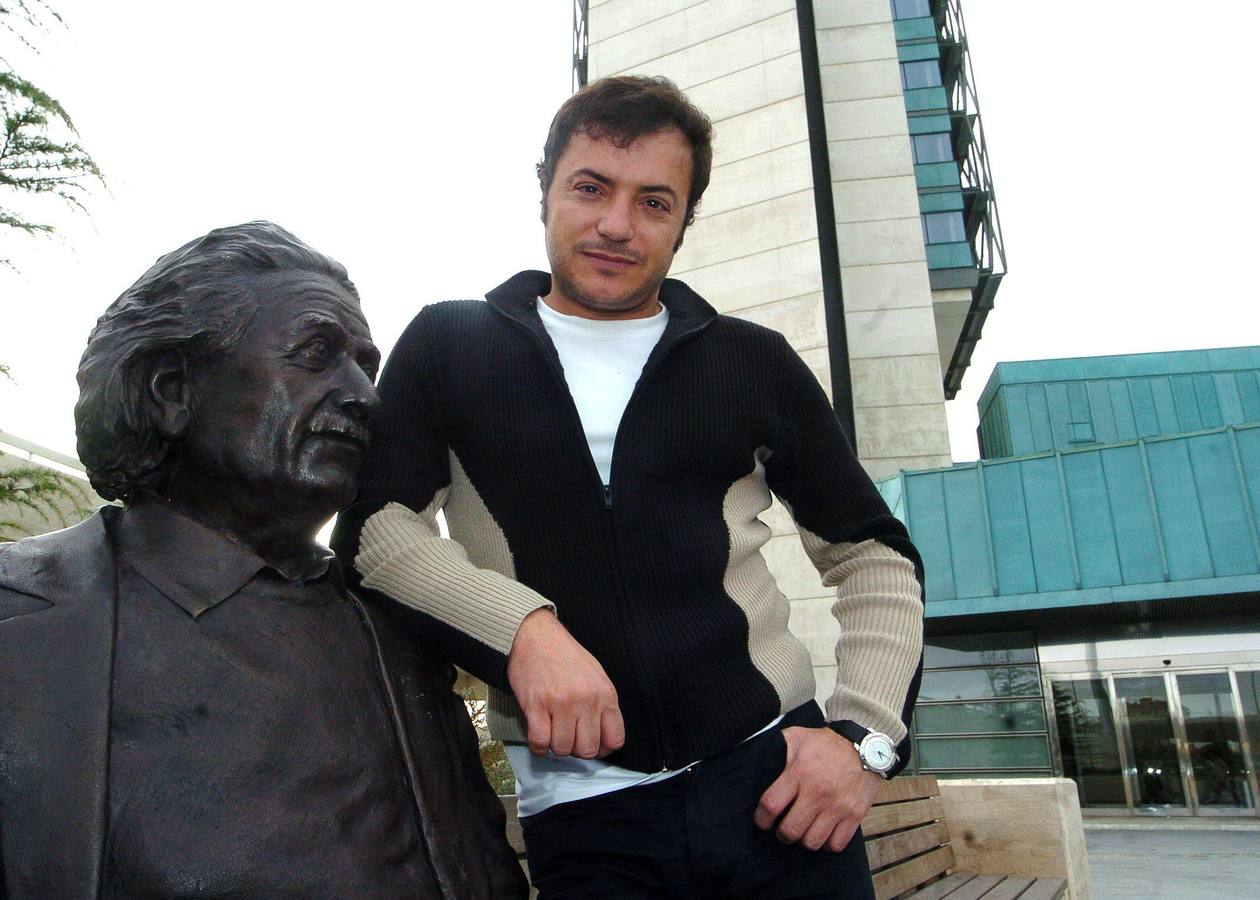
[623,109]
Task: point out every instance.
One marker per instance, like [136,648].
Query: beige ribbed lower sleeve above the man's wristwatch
[881,614]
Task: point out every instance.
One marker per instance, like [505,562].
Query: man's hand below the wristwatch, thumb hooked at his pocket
[822,795]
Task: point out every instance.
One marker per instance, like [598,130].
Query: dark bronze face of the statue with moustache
[279,420]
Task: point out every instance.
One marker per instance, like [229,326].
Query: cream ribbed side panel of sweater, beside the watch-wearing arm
[776,651]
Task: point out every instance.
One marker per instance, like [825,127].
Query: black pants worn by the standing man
[690,836]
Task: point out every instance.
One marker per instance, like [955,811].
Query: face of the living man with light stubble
[614,217]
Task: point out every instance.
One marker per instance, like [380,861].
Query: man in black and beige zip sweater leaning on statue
[602,444]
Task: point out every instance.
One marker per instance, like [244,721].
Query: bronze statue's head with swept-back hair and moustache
[234,379]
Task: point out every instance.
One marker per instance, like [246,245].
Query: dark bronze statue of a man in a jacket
[191,701]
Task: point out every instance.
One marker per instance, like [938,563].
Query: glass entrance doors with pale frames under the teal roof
[1161,743]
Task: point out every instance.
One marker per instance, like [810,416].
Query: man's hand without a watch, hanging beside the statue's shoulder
[570,705]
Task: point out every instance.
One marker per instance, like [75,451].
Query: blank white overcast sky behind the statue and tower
[401,141]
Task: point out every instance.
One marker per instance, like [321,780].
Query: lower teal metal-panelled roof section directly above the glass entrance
[1146,520]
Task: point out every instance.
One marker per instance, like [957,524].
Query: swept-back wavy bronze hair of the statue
[195,302]
